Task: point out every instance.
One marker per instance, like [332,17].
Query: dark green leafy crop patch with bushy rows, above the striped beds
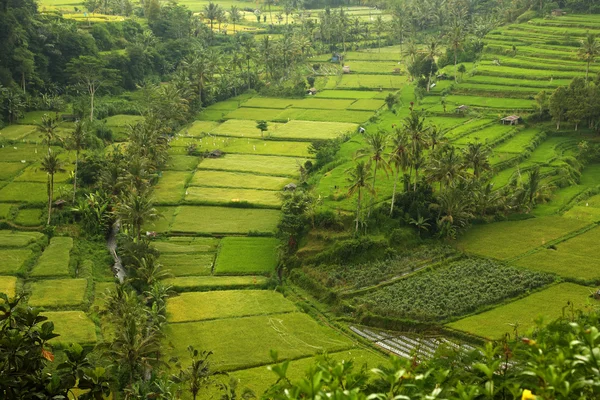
[457,289]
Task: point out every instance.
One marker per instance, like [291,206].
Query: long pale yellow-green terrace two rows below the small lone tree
[265,165]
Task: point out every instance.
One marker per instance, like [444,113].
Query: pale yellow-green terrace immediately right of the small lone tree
[310,130]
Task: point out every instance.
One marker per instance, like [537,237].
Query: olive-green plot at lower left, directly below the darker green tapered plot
[57,293]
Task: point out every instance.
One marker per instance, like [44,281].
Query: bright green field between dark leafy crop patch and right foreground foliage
[548,303]
